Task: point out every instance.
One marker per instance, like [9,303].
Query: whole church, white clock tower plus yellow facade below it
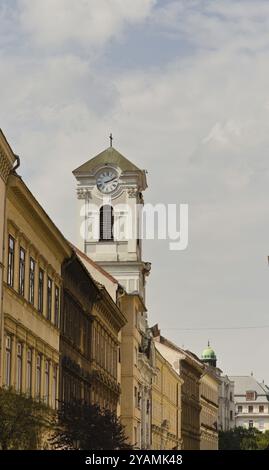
[109,192]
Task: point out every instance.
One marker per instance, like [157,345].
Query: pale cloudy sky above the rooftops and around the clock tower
[183,87]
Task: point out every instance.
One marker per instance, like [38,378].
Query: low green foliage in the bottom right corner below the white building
[243,439]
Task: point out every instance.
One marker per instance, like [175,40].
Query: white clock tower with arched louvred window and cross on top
[109,191]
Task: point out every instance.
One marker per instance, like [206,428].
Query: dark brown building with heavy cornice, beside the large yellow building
[91,322]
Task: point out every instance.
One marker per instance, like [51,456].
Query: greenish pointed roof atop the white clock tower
[108,156]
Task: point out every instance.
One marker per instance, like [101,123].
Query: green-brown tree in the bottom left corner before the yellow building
[22,421]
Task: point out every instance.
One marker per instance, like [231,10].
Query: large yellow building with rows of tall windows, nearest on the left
[34,253]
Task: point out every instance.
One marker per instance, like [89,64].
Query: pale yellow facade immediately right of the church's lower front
[166,406]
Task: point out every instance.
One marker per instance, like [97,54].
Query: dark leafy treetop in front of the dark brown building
[87,427]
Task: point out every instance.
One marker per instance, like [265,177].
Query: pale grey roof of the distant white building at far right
[243,384]
